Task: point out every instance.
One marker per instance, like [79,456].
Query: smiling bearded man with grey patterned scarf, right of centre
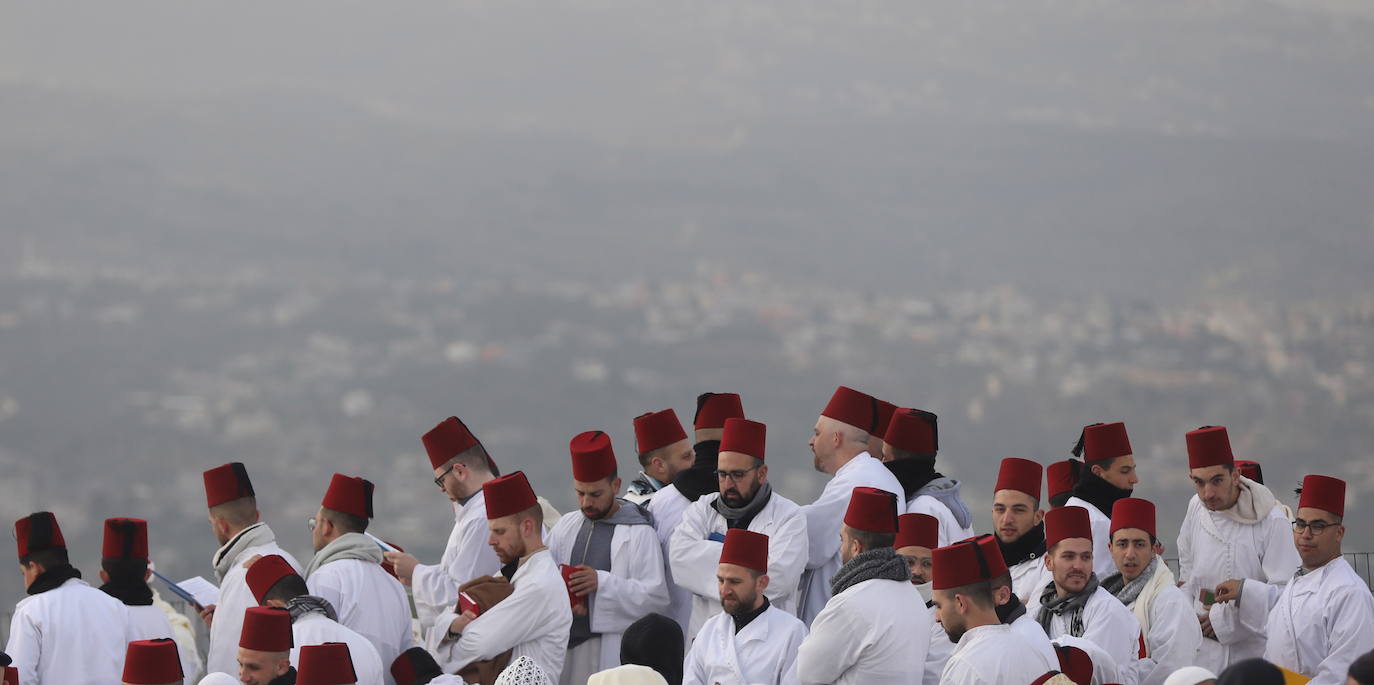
[1075,605]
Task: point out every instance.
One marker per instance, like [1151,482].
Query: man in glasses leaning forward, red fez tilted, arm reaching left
[461,467]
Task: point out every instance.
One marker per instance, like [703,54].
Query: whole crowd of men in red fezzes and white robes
[701,574]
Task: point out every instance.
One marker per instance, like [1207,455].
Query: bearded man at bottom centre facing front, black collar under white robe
[751,642]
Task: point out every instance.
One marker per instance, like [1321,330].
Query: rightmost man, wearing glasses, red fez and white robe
[1324,618]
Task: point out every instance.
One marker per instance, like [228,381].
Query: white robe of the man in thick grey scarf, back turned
[872,632]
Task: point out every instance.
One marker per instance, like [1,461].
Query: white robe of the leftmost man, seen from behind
[72,635]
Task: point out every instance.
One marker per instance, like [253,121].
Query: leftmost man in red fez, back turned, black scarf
[65,632]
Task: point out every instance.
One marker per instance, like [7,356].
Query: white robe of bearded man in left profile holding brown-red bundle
[534,621]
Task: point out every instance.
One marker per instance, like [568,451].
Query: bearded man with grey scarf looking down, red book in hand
[618,561]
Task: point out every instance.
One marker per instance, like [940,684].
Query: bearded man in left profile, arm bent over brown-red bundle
[537,618]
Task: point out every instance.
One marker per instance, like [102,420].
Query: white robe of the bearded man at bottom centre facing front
[765,653]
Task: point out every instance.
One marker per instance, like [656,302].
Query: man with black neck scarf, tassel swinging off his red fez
[1110,476]
